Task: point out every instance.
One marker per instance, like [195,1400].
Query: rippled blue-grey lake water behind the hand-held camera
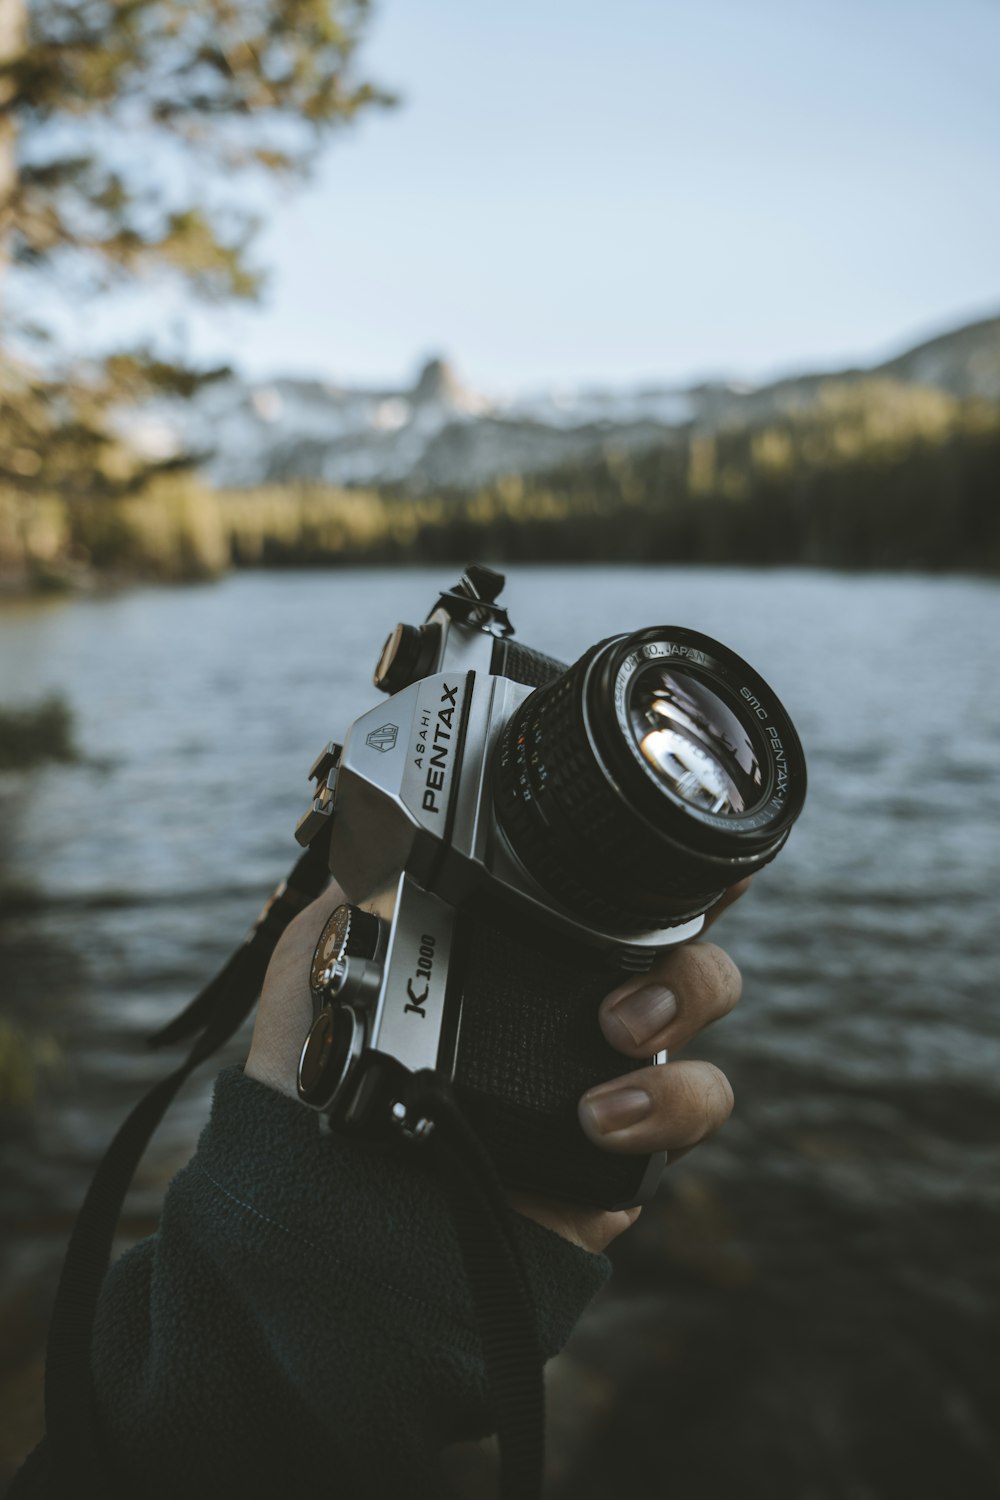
[830,1265]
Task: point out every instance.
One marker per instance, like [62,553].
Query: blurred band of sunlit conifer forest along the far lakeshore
[876,475]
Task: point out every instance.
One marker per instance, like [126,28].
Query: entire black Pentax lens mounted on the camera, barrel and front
[647,779]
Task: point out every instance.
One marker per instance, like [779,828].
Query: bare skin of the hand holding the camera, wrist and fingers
[686,1100]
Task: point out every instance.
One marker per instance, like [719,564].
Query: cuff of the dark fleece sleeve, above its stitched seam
[376,1219]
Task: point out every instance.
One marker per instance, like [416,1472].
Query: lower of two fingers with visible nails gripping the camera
[657,1109]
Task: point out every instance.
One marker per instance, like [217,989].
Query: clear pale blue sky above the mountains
[573,193]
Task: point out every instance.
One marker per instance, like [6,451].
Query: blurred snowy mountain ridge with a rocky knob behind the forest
[439,433]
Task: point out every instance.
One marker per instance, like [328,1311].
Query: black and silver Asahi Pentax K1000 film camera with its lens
[515,839]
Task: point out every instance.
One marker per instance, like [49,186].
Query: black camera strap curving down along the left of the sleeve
[74,1444]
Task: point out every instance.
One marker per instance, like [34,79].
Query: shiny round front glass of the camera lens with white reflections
[693,740]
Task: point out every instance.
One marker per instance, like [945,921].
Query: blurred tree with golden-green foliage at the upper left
[122,127]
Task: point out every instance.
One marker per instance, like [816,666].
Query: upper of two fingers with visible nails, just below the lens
[684,992]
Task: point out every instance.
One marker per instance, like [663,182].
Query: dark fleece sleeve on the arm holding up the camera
[302,1318]
